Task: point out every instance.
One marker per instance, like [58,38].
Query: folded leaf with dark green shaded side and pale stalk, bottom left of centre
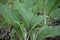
[21,30]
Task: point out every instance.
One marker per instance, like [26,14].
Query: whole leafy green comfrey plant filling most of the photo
[32,19]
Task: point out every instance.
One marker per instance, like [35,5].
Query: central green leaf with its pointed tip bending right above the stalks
[36,20]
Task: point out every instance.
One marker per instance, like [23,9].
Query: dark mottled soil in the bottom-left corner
[4,33]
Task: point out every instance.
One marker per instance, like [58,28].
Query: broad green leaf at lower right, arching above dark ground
[48,31]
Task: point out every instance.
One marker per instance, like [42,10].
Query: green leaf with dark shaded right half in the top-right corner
[52,4]
